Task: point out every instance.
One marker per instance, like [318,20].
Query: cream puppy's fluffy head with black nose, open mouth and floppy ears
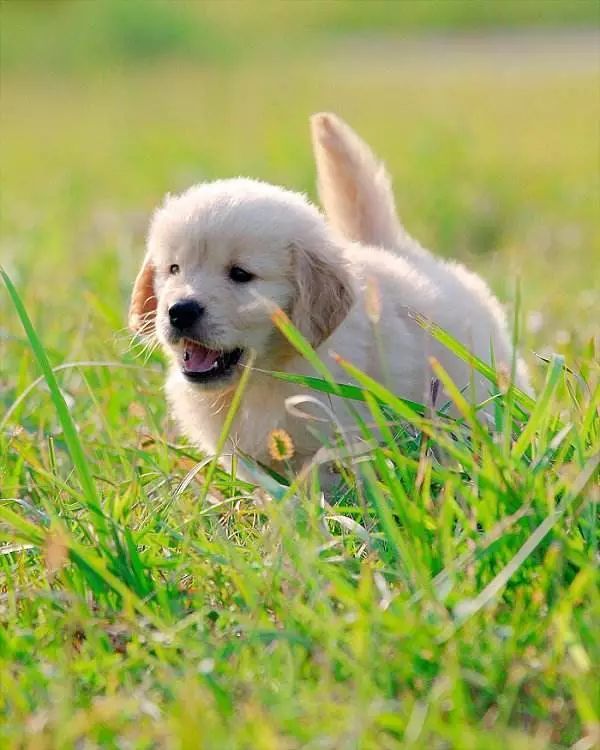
[220,258]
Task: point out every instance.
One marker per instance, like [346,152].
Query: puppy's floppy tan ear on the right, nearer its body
[324,292]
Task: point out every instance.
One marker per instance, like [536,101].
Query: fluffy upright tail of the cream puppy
[354,187]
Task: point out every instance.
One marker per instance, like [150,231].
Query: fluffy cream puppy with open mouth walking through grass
[223,255]
